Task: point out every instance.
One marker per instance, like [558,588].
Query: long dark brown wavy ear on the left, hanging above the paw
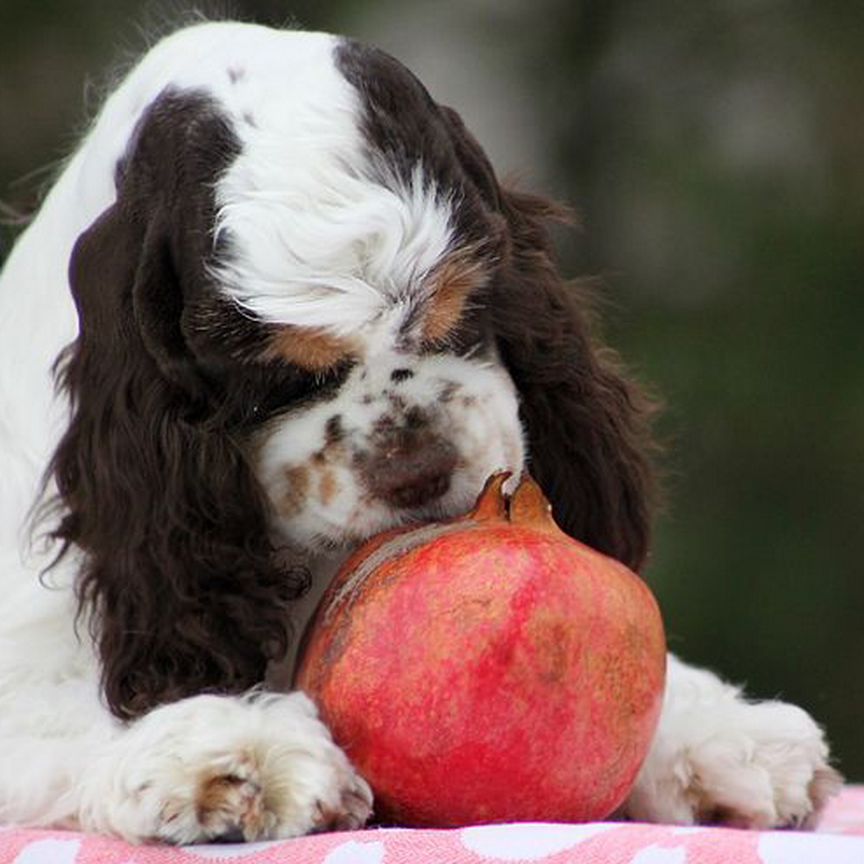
[177,576]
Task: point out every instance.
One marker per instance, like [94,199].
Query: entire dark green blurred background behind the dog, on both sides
[714,151]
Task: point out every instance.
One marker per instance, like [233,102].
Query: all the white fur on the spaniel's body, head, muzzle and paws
[65,760]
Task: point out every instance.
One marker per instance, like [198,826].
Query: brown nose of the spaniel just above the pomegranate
[410,468]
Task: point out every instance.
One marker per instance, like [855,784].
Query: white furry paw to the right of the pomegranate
[718,759]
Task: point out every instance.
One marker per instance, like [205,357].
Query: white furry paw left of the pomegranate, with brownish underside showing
[221,768]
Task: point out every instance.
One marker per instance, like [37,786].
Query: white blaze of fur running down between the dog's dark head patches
[324,235]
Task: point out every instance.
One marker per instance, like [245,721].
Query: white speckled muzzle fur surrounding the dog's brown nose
[480,417]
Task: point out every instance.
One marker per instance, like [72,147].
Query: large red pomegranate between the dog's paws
[488,669]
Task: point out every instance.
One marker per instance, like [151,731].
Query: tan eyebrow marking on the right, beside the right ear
[450,286]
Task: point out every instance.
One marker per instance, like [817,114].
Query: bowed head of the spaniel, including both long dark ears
[311,313]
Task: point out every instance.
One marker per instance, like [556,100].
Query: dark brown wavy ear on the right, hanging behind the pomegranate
[587,424]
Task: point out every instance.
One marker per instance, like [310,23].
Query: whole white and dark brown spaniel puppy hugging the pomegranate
[278,301]
